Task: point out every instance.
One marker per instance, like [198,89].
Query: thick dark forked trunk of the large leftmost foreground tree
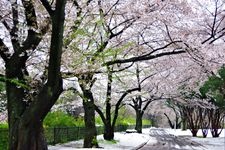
[25,118]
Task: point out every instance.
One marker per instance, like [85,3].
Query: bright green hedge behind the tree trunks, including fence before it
[61,127]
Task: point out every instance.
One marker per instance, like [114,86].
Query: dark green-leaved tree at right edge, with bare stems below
[214,89]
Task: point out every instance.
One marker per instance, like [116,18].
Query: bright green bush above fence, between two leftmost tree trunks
[61,119]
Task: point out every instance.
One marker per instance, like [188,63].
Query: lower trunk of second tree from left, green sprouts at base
[90,139]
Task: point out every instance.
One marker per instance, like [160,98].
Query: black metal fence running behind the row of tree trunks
[63,134]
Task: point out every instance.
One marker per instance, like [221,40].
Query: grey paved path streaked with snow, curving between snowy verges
[166,141]
